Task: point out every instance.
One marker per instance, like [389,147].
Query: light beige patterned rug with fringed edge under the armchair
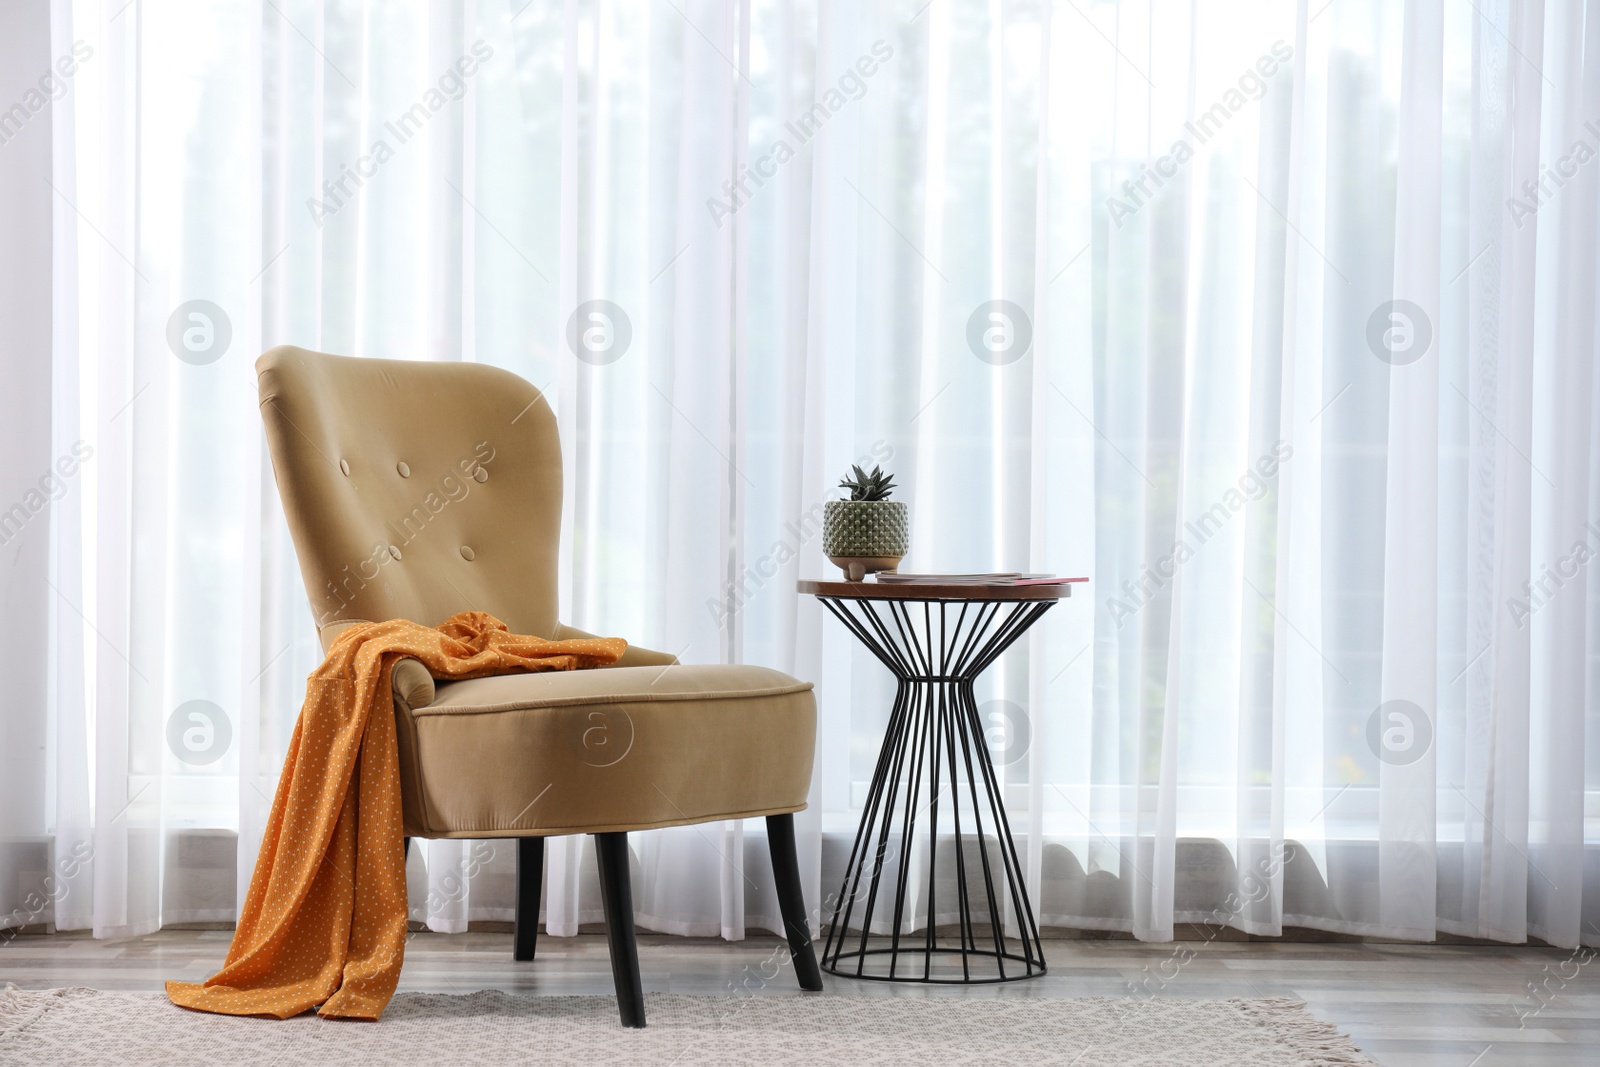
[92,1028]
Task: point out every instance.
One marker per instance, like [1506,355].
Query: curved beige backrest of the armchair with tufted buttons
[415,490]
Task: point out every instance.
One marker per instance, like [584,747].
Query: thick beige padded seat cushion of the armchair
[604,751]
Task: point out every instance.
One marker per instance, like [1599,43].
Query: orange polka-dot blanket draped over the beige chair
[326,919]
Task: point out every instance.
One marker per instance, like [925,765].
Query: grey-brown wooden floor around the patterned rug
[1406,1005]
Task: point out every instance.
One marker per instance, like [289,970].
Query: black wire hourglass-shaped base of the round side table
[935,765]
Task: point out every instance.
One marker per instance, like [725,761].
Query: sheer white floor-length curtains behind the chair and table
[1274,319]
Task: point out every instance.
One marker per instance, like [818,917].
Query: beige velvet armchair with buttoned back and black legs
[420,490]
